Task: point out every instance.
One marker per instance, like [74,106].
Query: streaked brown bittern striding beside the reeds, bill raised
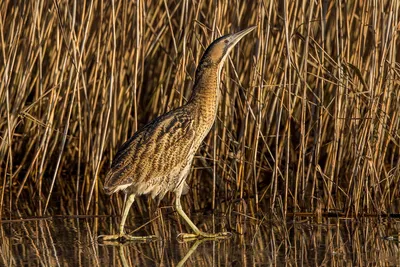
[158,157]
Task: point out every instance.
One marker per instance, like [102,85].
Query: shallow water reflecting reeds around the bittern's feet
[73,242]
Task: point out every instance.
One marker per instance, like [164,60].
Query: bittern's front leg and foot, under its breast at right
[197,233]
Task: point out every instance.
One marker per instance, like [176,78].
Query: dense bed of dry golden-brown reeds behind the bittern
[309,117]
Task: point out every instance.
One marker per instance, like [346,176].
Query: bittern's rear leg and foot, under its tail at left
[122,237]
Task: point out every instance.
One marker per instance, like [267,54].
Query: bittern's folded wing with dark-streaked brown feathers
[153,152]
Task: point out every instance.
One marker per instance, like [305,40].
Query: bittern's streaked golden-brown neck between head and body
[205,96]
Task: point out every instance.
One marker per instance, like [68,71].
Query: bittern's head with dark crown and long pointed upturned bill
[217,51]
